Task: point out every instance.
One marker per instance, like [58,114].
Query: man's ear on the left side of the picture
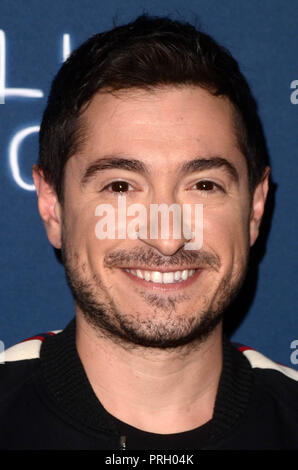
[49,207]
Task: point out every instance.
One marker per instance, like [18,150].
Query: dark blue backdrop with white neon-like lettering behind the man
[35,37]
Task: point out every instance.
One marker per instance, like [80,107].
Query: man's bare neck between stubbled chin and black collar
[161,391]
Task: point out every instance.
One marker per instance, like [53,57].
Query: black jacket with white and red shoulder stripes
[46,402]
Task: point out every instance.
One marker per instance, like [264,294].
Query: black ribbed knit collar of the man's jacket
[67,382]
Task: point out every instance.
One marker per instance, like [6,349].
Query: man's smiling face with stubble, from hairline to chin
[160,133]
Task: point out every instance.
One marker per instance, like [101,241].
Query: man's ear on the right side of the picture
[258,205]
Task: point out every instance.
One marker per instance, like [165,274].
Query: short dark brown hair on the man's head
[147,53]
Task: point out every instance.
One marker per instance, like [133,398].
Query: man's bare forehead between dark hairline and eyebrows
[163,127]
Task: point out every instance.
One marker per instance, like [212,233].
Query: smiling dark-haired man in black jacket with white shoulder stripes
[153,112]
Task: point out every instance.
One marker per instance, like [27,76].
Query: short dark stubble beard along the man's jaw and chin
[164,328]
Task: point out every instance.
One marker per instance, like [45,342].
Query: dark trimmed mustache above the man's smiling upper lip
[150,258]
